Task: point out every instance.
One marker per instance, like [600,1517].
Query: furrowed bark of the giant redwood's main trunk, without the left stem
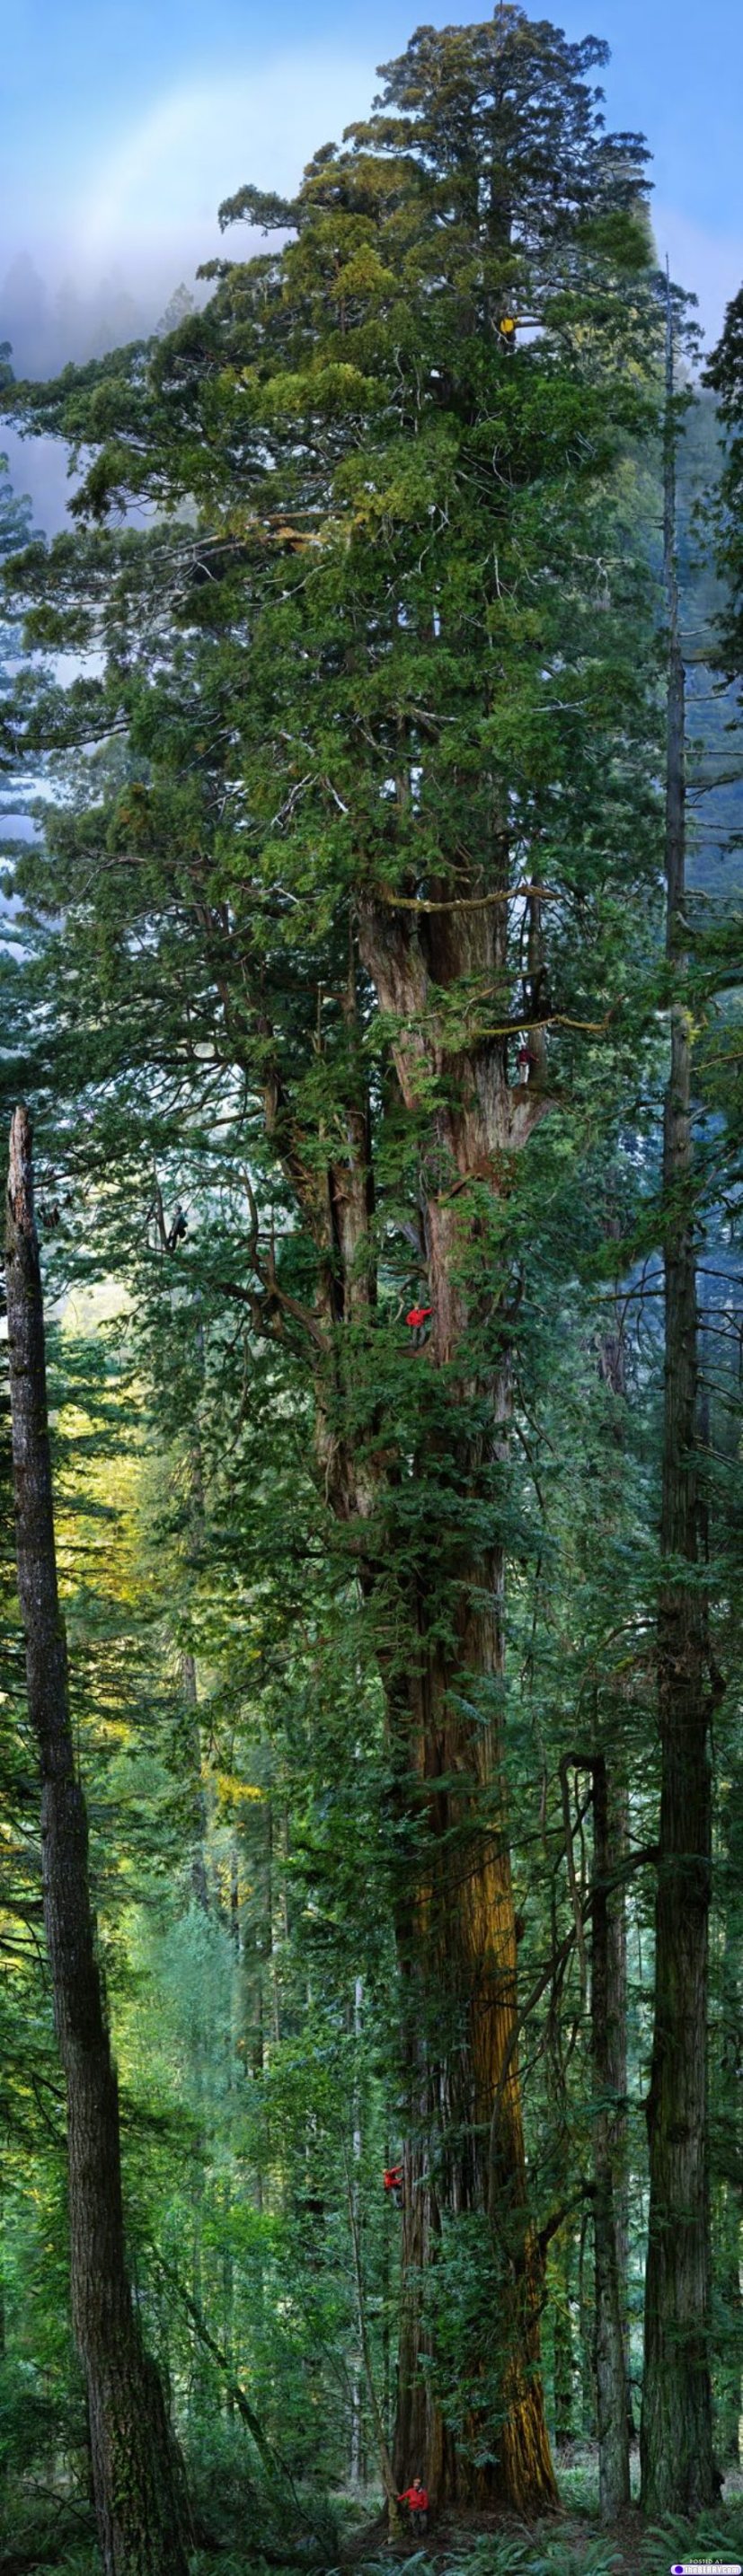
[458,1933]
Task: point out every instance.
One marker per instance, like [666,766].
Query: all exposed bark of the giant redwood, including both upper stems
[455,1920]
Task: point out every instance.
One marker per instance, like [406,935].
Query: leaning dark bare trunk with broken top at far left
[135,2467]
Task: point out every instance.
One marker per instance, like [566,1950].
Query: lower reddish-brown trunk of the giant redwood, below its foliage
[458,1959]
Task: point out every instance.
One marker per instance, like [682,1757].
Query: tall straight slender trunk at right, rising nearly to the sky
[677,2394]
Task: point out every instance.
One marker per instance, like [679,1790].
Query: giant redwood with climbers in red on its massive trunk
[383,854]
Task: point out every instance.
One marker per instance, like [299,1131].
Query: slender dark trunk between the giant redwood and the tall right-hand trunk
[610,2338]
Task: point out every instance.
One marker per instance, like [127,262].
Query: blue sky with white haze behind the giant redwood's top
[128,120]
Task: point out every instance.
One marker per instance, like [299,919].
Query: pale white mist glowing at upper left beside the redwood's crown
[135,215]
